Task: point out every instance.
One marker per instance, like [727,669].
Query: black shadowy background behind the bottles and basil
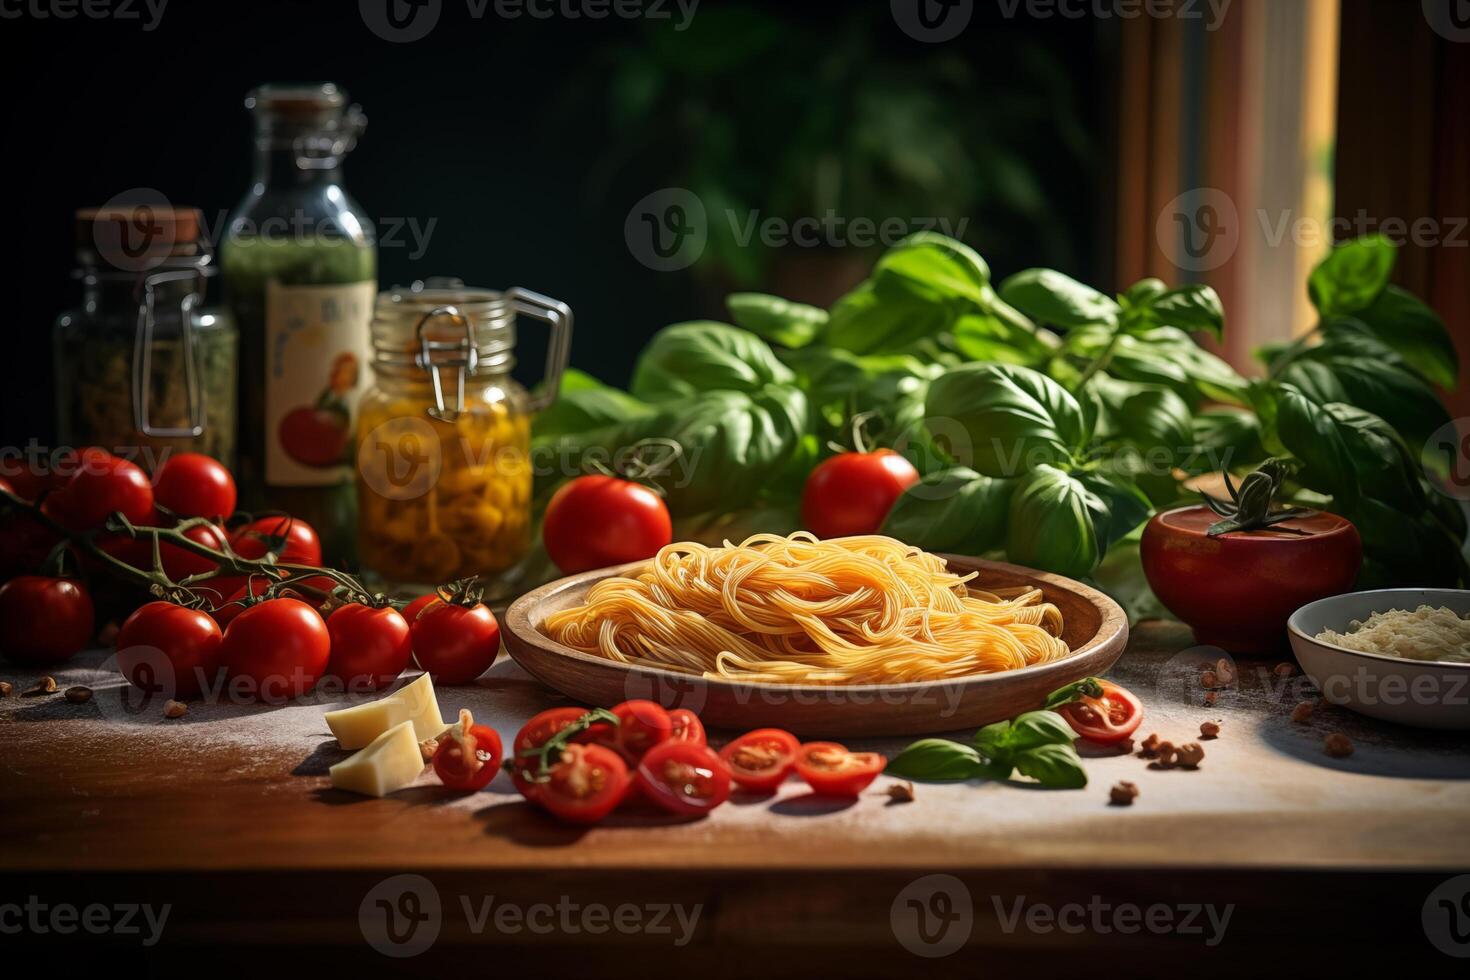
[517,136]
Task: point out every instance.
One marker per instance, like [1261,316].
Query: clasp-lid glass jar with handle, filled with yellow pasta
[445,433]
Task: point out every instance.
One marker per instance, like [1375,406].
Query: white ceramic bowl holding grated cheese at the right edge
[1424,694]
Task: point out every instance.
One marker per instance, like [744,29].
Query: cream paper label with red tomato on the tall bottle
[318,346]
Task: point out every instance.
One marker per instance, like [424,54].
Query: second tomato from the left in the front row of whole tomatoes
[170,650]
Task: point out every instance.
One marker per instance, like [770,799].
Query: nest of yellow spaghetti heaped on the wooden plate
[799,610]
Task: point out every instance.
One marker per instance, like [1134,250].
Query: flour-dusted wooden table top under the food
[89,790]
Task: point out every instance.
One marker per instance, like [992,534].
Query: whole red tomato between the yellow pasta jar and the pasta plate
[599,521]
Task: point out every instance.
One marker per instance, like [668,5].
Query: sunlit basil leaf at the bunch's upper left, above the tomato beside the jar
[690,359]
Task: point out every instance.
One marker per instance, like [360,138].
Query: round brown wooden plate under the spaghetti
[1096,631]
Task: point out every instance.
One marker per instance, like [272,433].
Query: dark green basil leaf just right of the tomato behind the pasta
[955,511]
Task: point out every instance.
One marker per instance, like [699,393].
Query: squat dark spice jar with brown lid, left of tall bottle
[142,368]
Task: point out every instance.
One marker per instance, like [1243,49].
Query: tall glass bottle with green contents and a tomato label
[301,270]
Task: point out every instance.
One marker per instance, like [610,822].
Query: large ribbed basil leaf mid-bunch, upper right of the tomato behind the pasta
[1014,418]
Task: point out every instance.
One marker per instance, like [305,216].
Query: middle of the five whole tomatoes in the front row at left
[279,649]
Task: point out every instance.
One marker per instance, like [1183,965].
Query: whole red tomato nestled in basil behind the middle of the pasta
[852,494]
